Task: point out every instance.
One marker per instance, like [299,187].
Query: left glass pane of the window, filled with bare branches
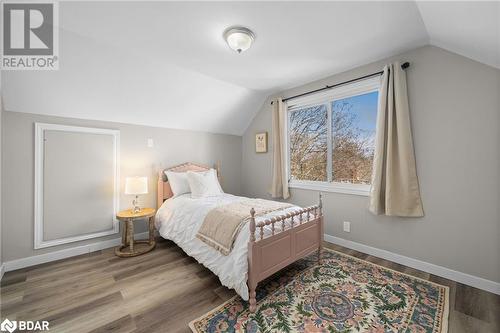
[308,143]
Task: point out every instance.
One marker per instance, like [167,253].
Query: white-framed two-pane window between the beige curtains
[331,138]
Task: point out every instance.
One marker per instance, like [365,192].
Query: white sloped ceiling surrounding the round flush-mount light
[165,63]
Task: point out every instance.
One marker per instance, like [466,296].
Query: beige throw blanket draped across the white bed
[222,224]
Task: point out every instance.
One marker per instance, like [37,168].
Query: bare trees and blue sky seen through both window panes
[342,153]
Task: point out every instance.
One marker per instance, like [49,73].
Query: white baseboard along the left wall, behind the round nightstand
[65,253]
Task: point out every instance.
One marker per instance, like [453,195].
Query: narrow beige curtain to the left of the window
[279,186]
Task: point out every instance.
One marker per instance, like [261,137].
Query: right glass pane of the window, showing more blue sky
[353,135]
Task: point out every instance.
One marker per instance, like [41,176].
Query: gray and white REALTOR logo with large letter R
[30,36]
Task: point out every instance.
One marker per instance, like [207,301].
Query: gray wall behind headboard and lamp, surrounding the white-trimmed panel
[171,147]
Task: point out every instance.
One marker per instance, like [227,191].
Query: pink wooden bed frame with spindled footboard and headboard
[267,254]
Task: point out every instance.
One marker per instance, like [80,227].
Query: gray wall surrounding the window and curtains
[455,112]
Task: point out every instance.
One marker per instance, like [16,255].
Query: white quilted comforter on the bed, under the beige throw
[179,219]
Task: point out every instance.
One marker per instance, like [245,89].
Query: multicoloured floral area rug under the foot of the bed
[343,294]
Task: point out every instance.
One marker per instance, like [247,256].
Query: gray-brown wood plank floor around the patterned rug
[163,290]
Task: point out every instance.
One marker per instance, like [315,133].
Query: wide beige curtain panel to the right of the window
[395,190]
